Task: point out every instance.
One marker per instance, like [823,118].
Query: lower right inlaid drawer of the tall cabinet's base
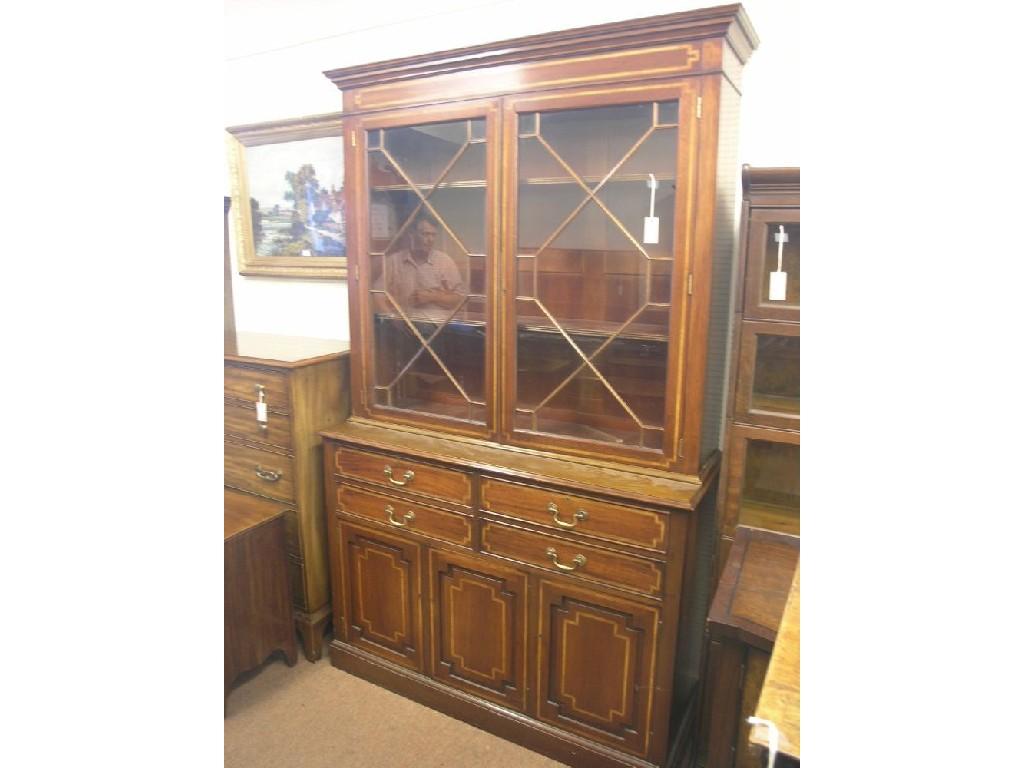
[634,574]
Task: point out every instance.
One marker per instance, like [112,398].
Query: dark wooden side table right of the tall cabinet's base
[742,626]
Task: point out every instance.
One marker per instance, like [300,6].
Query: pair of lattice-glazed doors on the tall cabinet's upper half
[529,270]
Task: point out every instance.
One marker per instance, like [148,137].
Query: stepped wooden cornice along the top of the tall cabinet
[730,22]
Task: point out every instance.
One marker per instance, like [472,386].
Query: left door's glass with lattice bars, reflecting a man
[430,267]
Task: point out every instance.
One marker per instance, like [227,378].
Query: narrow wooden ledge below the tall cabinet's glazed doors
[649,487]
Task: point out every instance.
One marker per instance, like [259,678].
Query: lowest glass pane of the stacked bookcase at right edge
[771,497]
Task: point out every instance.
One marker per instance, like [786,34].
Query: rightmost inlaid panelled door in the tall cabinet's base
[596,665]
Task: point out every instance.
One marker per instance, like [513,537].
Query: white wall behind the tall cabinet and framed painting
[276,54]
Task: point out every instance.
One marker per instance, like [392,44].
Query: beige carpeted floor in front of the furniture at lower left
[316,716]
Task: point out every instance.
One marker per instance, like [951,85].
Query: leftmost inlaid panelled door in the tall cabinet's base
[382,594]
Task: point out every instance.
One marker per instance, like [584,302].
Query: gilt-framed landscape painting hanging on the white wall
[288,181]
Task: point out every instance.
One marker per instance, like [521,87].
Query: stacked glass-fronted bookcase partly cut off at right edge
[761,467]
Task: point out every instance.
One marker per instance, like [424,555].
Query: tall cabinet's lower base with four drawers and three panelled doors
[549,602]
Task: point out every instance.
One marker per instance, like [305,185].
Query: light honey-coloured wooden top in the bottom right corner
[781,696]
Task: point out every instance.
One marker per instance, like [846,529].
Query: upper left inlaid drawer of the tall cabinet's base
[402,475]
